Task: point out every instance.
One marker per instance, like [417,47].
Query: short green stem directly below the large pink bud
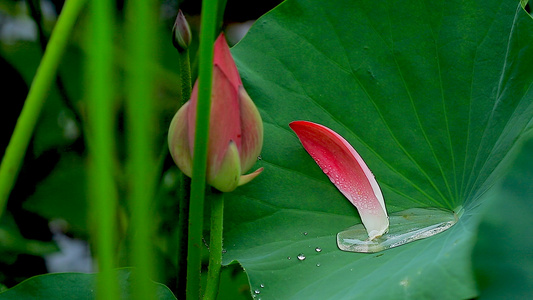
[215,246]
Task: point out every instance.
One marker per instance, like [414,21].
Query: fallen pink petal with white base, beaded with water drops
[347,170]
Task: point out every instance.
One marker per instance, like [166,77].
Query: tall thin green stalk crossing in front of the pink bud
[196,217]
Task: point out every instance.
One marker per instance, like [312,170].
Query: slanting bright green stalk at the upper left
[42,81]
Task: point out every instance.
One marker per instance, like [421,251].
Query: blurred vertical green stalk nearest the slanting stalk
[100,143]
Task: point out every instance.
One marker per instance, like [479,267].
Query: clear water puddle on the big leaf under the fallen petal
[405,227]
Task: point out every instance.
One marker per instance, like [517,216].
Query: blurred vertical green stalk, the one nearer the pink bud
[141,32]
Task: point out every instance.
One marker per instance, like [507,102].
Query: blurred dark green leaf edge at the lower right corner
[502,256]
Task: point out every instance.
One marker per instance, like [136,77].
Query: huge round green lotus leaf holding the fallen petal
[432,94]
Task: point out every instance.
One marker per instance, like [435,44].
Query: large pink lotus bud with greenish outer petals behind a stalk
[235,131]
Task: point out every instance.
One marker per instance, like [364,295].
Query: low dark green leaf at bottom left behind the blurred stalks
[74,286]
